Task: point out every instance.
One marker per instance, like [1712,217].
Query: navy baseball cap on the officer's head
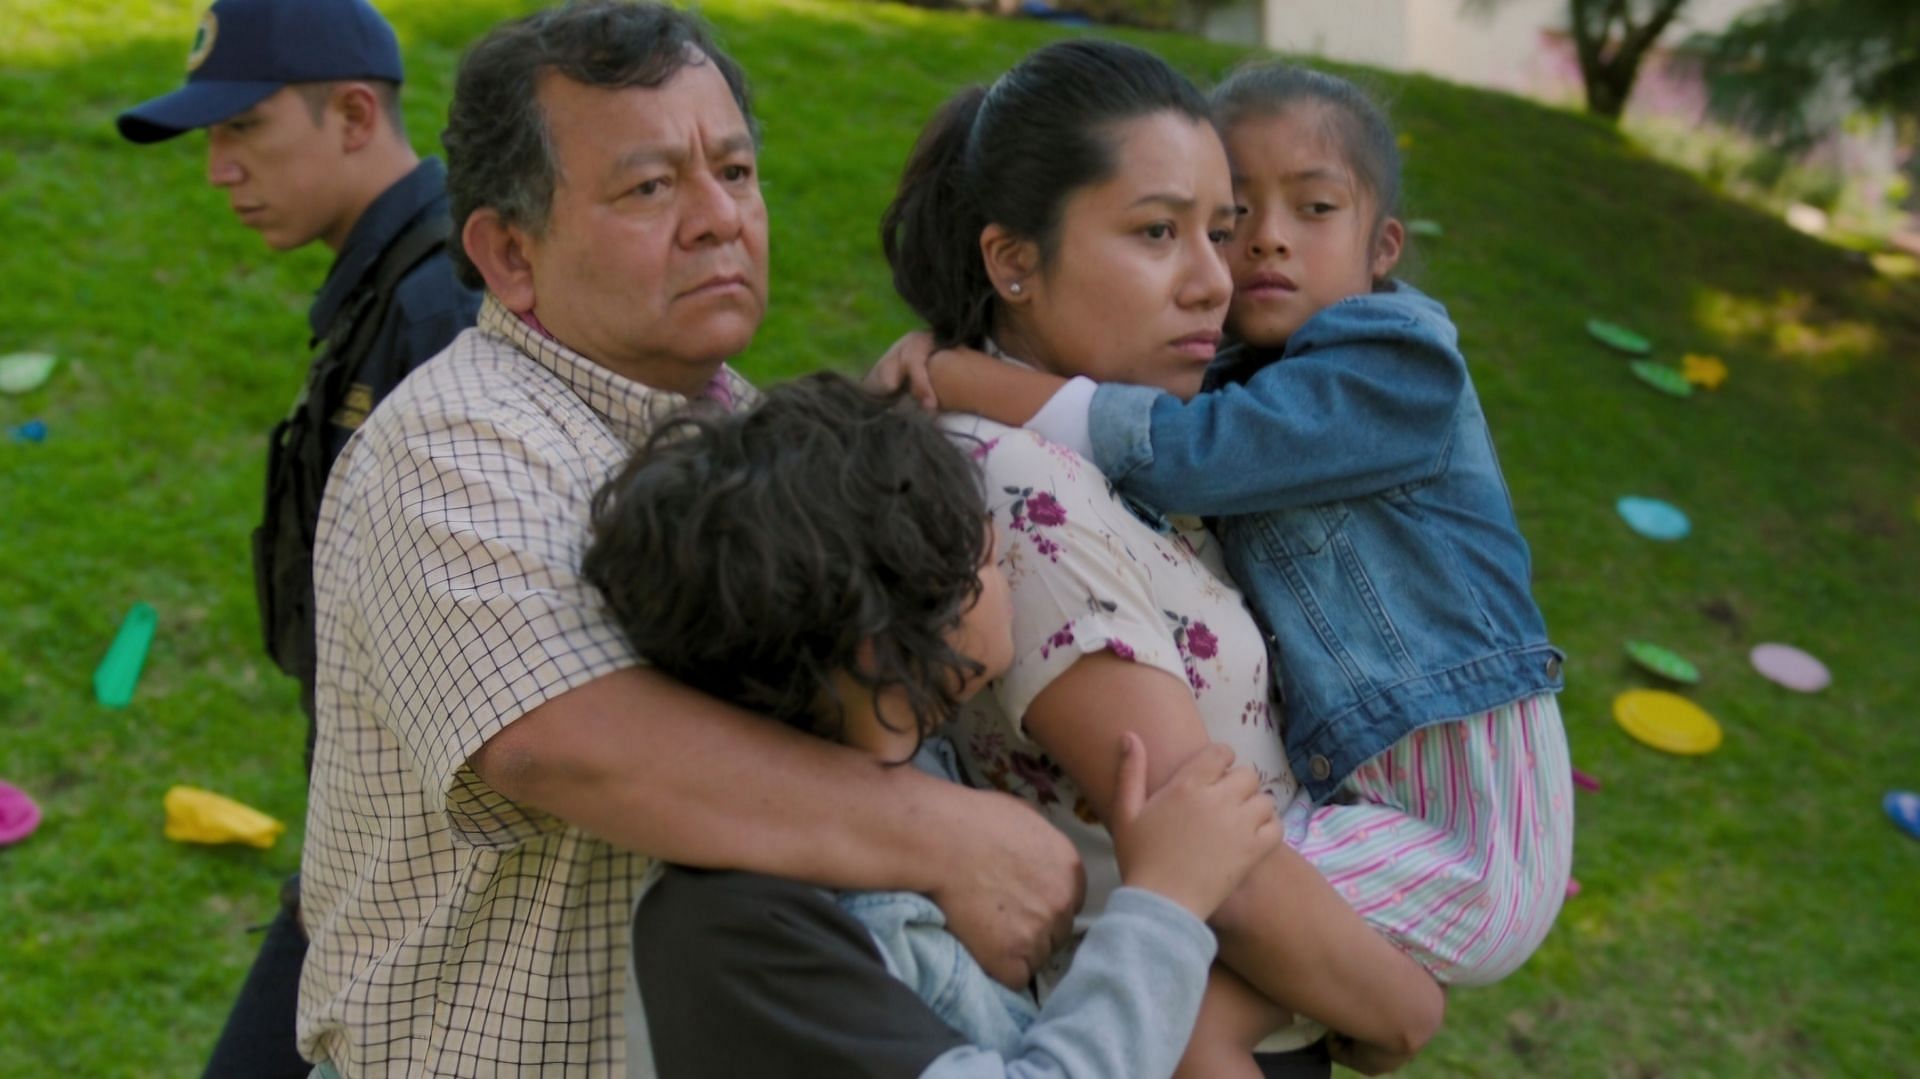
[251,49]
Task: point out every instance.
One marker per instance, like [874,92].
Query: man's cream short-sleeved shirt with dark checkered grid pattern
[452,930]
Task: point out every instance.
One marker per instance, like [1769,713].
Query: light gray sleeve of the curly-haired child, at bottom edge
[1124,1011]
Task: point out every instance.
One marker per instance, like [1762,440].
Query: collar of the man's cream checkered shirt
[631,408]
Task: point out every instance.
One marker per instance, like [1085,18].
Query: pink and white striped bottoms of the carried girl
[1460,844]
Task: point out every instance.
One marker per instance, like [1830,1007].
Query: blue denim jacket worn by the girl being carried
[1364,514]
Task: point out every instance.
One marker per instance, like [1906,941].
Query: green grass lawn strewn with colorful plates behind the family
[1744,913]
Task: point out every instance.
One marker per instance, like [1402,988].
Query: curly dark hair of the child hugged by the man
[752,554]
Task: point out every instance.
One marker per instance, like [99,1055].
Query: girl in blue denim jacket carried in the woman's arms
[1345,460]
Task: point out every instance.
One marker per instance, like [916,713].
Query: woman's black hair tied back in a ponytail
[1011,156]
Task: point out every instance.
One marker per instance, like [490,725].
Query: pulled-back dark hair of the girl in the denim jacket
[1355,122]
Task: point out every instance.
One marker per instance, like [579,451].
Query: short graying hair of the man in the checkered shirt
[500,151]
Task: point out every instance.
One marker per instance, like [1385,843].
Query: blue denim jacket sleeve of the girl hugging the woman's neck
[1362,402]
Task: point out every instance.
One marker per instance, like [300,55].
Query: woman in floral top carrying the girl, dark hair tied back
[1068,222]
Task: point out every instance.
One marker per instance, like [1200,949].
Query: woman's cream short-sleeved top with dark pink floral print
[1090,575]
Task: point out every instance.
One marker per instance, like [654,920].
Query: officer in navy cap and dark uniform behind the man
[300,103]
